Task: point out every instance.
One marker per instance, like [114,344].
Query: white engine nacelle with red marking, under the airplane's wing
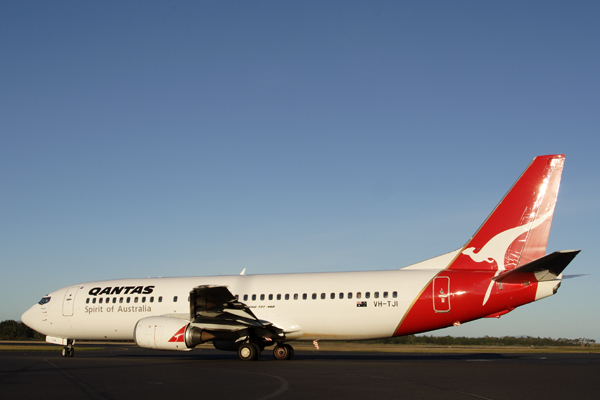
[162,333]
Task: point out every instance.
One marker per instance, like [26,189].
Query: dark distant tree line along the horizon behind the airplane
[13,330]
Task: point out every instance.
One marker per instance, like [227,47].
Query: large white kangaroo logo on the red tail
[497,247]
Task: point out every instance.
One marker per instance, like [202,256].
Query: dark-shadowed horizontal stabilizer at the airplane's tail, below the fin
[545,268]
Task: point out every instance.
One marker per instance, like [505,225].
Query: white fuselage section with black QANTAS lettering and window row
[348,305]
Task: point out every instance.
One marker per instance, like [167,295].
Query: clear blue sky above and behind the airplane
[200,138]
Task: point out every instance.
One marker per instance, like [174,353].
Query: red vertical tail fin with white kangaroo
[517,230]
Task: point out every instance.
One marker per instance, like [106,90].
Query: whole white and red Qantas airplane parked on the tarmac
[503,266]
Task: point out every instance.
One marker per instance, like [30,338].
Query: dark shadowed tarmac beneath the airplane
[124,371]
